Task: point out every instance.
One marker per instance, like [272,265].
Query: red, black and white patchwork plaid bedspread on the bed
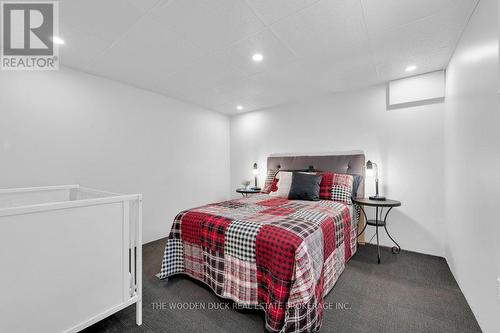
[279,255]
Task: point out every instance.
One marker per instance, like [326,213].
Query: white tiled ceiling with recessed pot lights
[200,51]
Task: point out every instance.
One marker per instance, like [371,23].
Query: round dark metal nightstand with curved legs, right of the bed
[378,222]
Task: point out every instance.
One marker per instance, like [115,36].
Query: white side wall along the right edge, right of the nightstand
[472,140]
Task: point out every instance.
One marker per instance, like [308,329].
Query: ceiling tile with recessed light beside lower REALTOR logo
[80,49]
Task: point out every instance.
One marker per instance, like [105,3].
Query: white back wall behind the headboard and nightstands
[406,143]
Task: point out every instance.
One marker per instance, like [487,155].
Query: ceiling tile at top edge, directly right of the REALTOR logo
[106,20]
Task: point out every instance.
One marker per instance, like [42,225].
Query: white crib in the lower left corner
[69,257]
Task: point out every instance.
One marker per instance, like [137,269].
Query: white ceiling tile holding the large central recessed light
[239,55]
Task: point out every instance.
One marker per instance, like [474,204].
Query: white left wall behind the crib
[69,127]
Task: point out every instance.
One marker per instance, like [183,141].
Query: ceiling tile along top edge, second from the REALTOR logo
[209,24]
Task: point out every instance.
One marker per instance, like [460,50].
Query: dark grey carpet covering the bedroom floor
[408,292]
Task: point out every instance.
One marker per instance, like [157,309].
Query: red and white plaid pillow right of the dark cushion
[336,186]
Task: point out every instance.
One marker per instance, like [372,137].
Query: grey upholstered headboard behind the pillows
[352,164]
